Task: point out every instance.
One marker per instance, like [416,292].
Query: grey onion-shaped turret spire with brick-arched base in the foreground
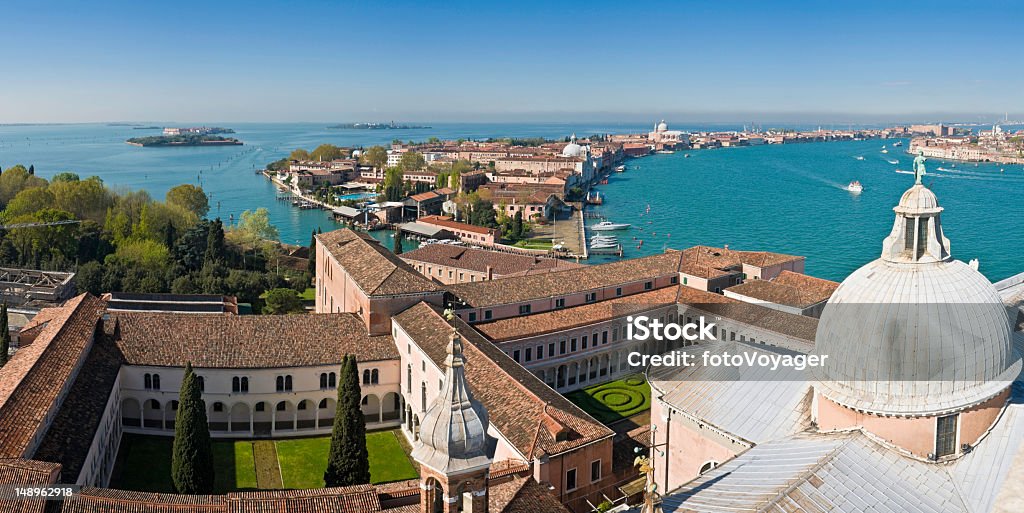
[453,446]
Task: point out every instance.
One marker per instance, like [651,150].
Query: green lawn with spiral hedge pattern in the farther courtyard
[615,401]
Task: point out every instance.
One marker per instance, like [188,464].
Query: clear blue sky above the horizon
[227,61]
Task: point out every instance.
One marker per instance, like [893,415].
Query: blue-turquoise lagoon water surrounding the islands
[789,199]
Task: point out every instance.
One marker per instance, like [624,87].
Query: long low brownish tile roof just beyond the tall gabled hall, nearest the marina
[479,261]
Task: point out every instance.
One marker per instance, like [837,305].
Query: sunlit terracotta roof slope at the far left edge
[27,382]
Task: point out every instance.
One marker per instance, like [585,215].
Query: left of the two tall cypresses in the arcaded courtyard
[192,459]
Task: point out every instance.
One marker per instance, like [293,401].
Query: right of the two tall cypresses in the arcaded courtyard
[349,462]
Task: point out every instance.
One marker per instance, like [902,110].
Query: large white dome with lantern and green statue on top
[915,333]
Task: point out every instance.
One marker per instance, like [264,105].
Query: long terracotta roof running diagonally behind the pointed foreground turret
[534,418]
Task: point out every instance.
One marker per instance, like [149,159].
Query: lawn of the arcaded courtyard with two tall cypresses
[145,463]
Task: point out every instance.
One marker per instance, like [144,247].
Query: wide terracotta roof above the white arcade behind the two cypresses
[247,341]
